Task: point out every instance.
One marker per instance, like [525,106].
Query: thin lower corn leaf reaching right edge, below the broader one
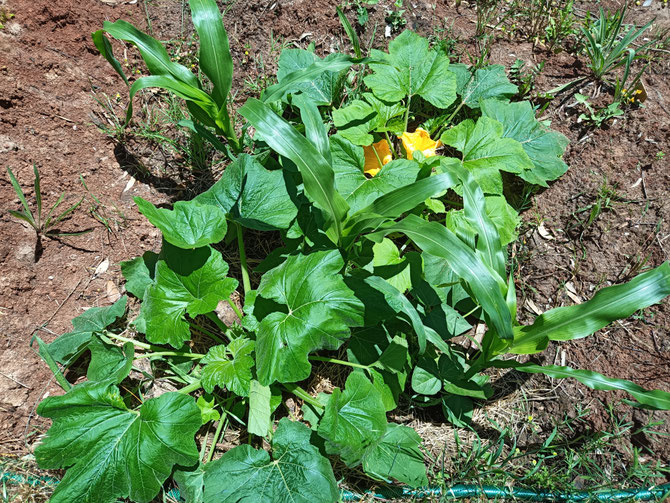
[656,399]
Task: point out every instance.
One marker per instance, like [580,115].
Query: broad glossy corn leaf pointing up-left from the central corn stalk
[317,173]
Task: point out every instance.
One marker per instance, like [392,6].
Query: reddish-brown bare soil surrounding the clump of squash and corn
[51,75]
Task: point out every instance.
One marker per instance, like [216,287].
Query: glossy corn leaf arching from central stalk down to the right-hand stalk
[437,240]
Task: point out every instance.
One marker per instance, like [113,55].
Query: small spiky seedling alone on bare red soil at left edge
[44,225]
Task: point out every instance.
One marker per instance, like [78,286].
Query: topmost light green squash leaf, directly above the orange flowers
[410,69]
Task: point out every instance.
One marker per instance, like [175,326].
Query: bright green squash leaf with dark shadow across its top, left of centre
[188,282]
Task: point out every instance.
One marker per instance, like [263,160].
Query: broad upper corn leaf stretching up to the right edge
[609,304]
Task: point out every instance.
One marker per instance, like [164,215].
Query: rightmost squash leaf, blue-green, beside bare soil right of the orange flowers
[544,147]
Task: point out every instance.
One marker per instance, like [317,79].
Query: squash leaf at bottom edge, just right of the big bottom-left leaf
[296,474]
